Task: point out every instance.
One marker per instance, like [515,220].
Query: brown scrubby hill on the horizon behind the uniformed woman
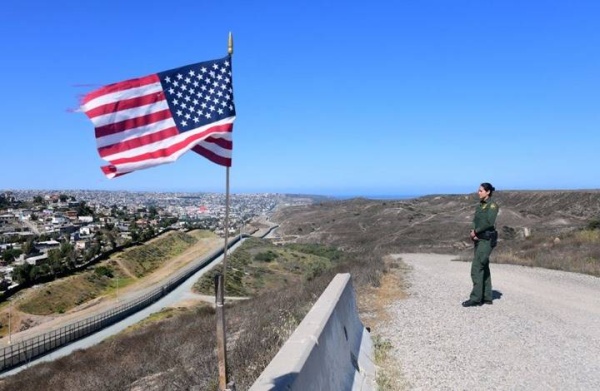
[435,223]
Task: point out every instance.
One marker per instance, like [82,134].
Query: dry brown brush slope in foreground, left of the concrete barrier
[176,350]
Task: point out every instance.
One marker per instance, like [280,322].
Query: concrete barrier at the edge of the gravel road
[330,350]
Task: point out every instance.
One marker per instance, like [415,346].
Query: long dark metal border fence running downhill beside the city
[29,349]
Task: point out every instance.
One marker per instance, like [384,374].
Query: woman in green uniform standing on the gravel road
[484,236]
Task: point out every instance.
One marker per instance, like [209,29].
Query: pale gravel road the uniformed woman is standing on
[541,333]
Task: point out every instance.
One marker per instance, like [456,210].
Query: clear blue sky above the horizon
[332,97]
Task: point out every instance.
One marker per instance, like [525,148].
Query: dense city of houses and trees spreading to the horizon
[45,234]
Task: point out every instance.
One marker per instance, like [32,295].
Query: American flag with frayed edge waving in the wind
[141,123]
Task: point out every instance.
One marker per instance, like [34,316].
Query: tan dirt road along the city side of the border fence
[42,324]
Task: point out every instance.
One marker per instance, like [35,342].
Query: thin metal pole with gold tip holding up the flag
[220,281]
